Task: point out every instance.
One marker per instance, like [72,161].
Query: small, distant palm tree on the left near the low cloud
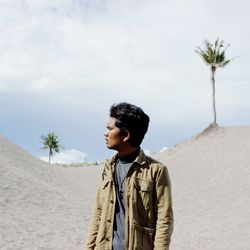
[51,142]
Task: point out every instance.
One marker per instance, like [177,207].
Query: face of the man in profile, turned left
[114,140]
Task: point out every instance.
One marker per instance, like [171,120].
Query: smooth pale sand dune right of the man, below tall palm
[211,190]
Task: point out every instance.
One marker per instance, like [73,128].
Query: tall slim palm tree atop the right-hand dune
[214,56]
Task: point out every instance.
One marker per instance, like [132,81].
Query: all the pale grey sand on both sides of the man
[49,207]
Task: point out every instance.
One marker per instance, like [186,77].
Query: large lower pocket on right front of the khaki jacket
[143,237]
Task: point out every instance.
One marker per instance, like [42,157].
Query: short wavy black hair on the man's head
[132,119]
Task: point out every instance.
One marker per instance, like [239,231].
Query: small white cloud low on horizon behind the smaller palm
[67,157]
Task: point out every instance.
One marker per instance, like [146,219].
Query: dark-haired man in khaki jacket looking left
[133,206]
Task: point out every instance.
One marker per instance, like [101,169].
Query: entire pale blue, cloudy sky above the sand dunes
[64,62]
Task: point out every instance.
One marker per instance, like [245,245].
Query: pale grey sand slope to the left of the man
[42,207]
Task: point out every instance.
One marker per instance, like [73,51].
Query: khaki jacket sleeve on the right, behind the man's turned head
[164,212]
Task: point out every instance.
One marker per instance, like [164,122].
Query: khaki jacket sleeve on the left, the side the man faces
[96,218]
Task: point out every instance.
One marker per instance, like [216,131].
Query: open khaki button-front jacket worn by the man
[148,207]
